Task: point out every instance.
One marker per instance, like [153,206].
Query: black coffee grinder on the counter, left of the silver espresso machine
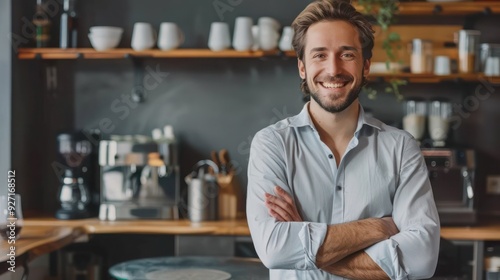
[76,168]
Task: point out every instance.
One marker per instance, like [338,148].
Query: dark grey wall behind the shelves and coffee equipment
[212,103]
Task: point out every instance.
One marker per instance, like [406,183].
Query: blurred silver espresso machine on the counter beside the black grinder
[139,178]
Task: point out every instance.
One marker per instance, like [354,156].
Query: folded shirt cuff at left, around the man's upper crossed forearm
[311,236]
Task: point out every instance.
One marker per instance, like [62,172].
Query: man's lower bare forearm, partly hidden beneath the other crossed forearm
[357,266]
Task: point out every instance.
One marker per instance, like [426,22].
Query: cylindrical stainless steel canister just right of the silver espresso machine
[203,192]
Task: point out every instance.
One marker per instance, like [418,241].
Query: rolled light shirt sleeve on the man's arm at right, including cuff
[413,252]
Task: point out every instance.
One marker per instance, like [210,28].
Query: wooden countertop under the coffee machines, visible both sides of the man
[41,235]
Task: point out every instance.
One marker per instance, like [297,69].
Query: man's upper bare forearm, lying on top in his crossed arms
[342,240]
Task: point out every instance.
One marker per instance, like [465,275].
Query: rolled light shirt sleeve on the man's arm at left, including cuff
[280,245]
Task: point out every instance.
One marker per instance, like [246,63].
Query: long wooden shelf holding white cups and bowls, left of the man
[89,53]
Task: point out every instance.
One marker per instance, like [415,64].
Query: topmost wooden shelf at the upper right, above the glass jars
[447,8]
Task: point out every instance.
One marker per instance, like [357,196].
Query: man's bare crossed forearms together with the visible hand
[342,250]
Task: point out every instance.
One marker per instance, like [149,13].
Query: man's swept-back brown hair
[325,10]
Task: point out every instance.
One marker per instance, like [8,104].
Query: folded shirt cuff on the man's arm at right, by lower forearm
[385,254]
